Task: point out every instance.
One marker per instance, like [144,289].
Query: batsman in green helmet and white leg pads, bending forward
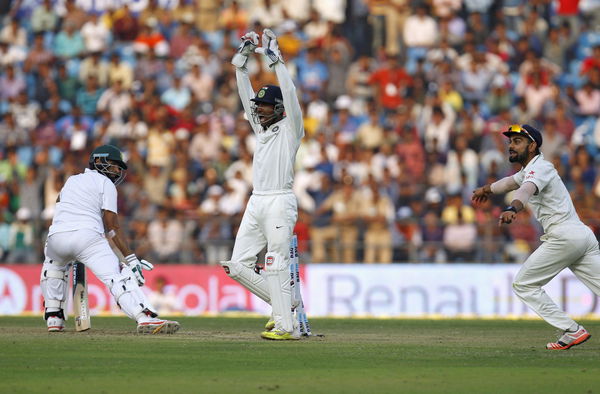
[85,218]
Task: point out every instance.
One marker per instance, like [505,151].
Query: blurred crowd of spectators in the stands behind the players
[404,103]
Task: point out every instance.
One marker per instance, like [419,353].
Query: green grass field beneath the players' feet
[212,355]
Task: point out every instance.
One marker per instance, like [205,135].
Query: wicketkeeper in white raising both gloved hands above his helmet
[276,118]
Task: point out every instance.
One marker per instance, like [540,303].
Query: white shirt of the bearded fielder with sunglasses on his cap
[552,203]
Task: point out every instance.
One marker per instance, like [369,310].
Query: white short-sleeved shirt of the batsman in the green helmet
[82,199]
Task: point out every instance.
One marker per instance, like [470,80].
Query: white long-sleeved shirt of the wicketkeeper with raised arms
[276,147]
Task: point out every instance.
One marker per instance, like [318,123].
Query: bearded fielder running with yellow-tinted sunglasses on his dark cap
[567,242]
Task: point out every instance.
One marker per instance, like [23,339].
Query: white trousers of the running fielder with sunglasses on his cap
[572,246]
